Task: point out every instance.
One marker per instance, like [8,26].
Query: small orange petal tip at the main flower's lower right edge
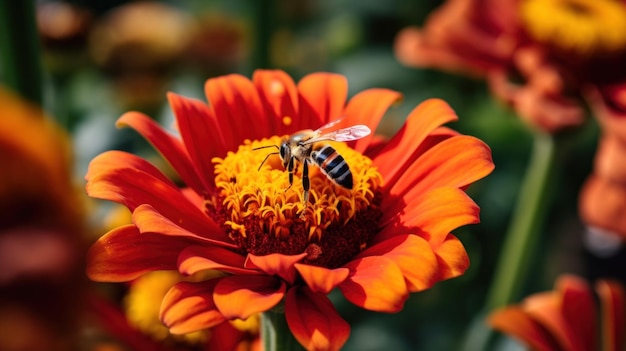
[452,258]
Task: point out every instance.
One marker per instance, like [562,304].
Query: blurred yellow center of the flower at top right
[582,27]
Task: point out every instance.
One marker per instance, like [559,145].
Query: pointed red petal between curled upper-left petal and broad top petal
[201,132]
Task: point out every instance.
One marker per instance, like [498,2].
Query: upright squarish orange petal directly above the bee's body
[322,99]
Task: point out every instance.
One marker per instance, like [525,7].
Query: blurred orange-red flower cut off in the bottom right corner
[563,319]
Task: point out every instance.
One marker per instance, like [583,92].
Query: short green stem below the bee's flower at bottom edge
[275,333]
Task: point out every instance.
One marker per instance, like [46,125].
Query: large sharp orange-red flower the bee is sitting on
[387,237]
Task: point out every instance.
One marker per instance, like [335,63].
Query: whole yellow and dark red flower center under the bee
[265,214]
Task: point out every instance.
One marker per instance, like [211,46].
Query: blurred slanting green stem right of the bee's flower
[529,216]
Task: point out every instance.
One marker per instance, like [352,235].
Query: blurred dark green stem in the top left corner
[20,51]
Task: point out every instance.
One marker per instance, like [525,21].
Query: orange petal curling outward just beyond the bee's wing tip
[368,107]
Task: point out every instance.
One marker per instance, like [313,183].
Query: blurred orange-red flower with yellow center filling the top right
[546,59]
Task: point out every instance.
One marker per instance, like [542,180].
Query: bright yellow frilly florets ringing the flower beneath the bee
[266,196]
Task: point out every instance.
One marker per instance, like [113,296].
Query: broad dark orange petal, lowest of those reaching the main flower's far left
[124,254]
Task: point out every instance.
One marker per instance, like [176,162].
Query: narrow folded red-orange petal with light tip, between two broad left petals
[147,219]
